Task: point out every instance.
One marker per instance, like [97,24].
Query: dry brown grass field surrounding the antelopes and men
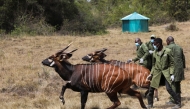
[26,84]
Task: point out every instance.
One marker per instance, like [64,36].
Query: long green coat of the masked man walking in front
[162,64]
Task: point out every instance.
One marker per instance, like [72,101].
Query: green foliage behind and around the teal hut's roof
[159,11]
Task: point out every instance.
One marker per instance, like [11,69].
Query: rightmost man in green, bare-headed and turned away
[179,65]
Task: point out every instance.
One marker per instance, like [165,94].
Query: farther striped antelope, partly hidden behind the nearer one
[137,72]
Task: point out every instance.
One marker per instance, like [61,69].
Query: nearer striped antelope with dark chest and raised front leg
[85,78]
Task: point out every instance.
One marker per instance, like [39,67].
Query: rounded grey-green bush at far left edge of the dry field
[32,26]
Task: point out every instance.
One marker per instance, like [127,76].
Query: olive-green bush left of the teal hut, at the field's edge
[83,24]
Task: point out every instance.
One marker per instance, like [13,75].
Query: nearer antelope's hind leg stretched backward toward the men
[132,92]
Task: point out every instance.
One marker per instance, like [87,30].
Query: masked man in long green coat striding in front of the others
[162,71]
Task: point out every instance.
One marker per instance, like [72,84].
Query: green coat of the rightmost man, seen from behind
[179,61]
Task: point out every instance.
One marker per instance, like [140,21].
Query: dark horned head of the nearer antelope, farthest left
[60,56]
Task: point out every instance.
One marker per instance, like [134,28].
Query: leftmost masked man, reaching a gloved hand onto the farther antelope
[143,55]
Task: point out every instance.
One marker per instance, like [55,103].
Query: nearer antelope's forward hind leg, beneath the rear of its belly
[113,97]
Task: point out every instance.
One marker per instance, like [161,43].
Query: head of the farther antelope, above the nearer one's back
[95,56]
